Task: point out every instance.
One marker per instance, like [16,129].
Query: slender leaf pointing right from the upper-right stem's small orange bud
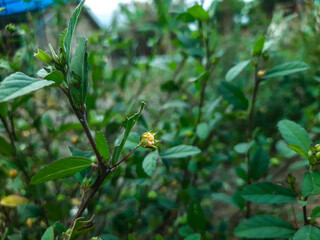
[286,69]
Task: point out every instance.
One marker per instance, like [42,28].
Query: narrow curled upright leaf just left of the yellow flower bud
[129,123]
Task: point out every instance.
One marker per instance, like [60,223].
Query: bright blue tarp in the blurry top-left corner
[20,6]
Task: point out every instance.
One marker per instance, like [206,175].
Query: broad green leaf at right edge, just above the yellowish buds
[294,134]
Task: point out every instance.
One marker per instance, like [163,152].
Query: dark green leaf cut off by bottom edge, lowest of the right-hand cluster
[264,226]
